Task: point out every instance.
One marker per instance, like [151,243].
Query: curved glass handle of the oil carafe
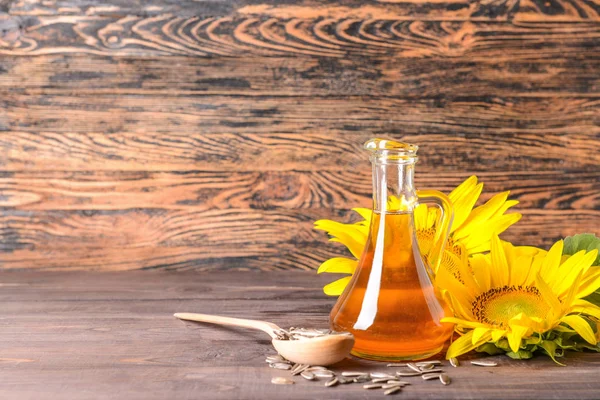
[443,224]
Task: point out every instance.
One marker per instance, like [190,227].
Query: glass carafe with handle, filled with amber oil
[391,305]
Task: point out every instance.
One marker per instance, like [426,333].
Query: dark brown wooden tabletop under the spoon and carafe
[111,335]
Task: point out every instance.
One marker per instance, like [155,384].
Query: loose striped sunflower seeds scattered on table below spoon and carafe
[390,383]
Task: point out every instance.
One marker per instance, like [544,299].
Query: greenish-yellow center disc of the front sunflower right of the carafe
[497,306]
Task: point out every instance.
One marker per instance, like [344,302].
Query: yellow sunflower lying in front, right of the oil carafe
[523,298]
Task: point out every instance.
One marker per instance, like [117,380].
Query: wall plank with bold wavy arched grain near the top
[241,35]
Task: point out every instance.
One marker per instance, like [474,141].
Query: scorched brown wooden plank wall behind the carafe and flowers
[211,134]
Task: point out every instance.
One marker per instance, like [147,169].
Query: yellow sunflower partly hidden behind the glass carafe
[470,233]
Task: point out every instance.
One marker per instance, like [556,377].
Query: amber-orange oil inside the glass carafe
[407,321]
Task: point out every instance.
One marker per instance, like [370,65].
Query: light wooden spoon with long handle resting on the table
[321,350]
